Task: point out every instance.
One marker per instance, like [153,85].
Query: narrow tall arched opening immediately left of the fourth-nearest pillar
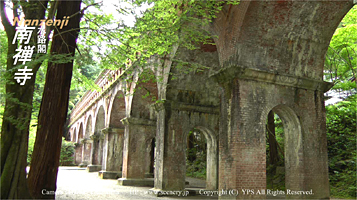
[97,138]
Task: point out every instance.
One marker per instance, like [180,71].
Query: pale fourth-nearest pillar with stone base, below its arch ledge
[112,153]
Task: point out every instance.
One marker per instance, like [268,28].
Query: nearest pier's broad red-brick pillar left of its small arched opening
[242,145]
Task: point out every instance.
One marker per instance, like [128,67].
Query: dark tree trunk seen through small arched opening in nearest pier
[273,147]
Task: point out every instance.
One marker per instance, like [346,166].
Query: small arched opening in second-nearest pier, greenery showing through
[202,159]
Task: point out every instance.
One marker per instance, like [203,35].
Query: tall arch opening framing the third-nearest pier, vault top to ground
[140,129]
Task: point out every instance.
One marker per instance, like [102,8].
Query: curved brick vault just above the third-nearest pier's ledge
[144,95]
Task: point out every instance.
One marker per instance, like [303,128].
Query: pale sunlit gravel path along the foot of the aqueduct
[75,183]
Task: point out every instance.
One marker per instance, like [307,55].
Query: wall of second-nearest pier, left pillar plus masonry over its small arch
[176,124]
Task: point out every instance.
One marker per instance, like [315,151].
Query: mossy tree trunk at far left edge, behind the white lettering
[17,113]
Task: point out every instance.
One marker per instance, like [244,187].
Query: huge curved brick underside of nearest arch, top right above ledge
[301,32]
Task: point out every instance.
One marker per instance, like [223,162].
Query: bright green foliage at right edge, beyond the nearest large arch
[341,69]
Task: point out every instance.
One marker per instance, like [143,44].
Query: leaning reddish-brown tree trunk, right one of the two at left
[53,111]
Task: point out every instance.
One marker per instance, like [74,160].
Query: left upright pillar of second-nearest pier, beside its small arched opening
[170,152]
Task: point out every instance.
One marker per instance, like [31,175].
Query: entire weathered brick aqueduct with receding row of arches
[269,55]
